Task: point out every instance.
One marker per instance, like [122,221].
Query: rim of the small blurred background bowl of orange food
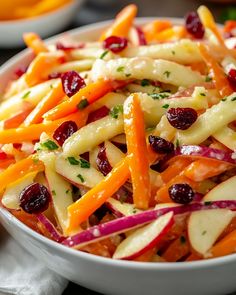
[45,14]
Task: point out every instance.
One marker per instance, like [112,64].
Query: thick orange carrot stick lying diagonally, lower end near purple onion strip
[94,198]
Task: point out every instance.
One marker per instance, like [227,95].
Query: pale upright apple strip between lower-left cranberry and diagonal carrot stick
[60,189]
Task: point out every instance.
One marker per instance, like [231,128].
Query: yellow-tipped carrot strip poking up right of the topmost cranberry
[208,22]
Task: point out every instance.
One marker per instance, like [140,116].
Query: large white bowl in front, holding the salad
[215,276]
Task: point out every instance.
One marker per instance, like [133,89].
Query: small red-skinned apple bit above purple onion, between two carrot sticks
[121,209]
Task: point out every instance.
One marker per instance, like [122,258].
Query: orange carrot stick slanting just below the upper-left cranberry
[91,93]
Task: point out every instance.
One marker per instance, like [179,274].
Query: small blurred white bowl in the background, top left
[45,25]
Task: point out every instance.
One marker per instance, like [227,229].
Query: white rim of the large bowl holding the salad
[165,266]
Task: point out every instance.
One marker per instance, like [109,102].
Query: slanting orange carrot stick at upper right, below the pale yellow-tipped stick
[221,82]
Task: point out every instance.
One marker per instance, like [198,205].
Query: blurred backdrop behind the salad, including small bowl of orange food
[54,16]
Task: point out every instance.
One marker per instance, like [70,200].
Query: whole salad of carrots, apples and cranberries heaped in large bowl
[124,147]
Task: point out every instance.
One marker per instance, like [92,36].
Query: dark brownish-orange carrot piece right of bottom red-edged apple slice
[177,249]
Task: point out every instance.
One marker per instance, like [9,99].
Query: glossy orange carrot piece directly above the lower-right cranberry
[205,168]
